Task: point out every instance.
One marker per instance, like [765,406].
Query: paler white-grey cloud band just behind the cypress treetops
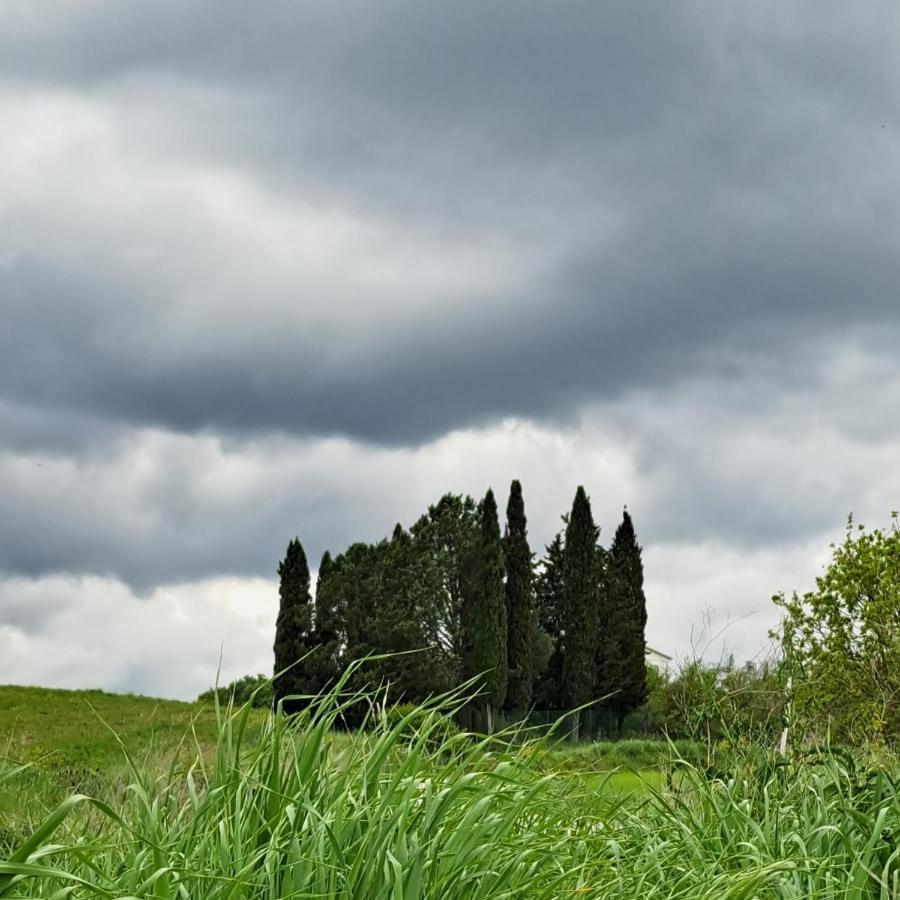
[779,469]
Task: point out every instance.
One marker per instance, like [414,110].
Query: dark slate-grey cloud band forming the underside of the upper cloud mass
[614,327]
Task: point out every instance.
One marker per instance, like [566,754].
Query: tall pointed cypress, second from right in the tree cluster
[580,608]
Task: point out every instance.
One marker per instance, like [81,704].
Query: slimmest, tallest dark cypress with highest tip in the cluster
[519,602]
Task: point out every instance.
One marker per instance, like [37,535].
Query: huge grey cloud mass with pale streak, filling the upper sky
[523,210]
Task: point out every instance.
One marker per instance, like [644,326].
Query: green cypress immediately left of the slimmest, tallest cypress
[486,613]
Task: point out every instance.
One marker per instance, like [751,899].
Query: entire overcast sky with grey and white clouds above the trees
[301,267]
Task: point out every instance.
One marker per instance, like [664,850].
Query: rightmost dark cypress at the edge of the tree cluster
[623,665]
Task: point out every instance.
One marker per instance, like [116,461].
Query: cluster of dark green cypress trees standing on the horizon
[556,635]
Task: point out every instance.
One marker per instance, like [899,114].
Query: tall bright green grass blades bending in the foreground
[410,808]
